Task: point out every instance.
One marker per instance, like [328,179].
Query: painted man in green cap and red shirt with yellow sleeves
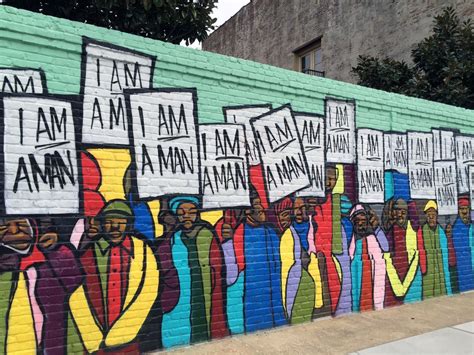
[121,284]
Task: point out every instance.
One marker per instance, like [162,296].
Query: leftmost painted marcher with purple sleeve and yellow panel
[36,273]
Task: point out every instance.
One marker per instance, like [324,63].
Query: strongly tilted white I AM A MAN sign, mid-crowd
[281,153]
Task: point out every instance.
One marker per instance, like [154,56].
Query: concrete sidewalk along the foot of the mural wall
[355,332]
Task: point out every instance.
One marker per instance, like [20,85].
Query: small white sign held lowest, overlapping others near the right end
[446,187]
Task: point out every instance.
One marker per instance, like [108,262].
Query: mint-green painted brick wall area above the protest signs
[33,40]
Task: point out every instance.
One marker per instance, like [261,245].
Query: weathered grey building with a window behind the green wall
[325,37]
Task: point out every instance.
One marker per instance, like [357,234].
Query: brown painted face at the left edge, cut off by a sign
[16,235]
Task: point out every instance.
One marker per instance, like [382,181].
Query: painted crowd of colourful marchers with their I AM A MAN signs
[129,226]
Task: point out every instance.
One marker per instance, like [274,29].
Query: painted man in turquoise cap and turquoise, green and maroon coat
[199,312]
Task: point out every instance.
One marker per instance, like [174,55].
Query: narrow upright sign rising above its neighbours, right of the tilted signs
[340,131]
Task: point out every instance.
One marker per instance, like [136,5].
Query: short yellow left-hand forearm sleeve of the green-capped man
[89,330]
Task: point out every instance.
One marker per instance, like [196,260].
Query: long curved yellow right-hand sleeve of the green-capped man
[126,328]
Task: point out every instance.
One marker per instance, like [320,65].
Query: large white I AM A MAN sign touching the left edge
[40,157]
